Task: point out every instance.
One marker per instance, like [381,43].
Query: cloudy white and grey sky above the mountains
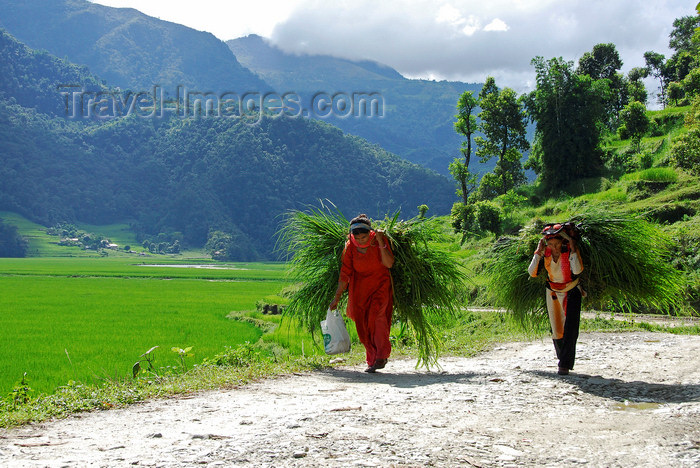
[465,40]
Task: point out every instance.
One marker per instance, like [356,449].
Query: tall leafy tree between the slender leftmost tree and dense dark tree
[503,123]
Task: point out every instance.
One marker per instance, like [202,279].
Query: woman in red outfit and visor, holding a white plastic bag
[366,261]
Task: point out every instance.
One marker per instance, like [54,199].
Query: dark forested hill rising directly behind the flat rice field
[185,177]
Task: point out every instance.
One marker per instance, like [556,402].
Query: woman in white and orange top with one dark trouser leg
[562,260]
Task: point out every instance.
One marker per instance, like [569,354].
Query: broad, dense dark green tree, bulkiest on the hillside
[566,108]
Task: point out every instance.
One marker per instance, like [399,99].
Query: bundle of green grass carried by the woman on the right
[626,266]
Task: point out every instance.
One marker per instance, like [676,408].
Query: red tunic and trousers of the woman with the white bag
[370,298]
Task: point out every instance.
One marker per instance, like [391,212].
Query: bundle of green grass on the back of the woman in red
[428,283]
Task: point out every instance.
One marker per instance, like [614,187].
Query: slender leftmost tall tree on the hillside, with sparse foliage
[465,125]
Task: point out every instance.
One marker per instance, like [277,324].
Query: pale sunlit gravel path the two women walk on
[633,400]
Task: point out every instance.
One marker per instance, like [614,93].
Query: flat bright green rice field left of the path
[88,319]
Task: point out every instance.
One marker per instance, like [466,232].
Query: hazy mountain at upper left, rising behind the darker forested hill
[127,48]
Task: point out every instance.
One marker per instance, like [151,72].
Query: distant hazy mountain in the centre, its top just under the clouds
[418,115]
